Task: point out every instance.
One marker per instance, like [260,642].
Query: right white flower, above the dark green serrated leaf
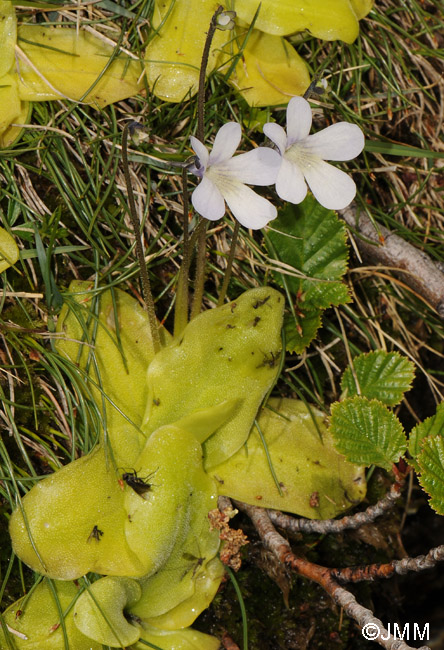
[303,157]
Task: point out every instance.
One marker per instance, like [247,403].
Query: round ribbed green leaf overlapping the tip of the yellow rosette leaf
[366,432]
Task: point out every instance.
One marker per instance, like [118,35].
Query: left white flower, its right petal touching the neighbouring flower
[224,177]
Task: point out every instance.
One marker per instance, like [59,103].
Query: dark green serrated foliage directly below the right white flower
[311,240]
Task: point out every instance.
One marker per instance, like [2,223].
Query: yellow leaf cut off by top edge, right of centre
[322,18]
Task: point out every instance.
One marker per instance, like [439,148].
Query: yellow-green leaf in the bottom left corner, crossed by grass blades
[35,620]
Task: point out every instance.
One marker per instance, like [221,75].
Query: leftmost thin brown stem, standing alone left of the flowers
[146,286]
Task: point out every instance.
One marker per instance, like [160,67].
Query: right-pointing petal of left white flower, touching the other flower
[257,167]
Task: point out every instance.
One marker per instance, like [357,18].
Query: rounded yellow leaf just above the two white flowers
[270,70]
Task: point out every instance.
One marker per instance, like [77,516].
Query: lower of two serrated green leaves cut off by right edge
[431,464]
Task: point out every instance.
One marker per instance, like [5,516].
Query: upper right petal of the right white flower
[341,141]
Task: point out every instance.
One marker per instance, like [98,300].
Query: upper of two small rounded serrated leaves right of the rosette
[385,376]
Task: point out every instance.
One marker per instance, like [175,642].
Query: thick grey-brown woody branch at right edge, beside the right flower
[415,267]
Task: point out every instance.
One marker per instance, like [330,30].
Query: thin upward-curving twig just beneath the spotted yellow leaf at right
[350,522]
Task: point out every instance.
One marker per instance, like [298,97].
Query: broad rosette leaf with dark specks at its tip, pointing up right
[240,344]
